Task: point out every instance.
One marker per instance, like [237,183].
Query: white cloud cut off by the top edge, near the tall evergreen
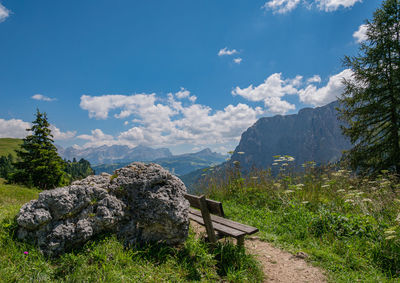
[285,6]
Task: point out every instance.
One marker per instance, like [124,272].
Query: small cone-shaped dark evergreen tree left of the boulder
[39,164]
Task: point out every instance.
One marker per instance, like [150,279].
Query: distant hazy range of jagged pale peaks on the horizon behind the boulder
[114,154]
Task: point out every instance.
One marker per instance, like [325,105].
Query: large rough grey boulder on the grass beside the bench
[141,203]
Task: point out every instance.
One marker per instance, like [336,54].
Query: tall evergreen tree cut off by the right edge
[370,104]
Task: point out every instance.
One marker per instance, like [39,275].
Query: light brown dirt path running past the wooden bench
[278,265]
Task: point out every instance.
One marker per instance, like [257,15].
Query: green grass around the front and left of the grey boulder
[106,260]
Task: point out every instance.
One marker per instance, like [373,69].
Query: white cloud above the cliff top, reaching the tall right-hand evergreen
[328,93]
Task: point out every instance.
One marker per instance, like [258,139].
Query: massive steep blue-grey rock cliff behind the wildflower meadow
[310,135]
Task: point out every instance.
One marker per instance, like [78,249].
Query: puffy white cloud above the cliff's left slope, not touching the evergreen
[271,92]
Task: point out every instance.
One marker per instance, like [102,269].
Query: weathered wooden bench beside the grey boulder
[211,215]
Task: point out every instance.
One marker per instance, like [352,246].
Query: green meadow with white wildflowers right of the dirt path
[349,226]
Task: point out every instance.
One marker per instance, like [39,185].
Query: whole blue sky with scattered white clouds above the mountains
[180,74]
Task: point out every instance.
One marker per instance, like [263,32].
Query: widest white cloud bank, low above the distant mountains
[160,122]
